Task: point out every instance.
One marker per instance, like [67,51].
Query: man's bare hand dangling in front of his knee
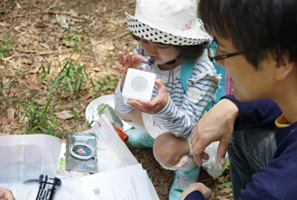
[216,125]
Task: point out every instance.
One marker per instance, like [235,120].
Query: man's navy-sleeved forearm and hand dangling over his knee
[229,114]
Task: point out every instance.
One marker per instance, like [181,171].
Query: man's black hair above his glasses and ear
[257,27]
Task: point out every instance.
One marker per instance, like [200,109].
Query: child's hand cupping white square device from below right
[155,105]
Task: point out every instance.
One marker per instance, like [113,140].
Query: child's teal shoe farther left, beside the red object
[139,139]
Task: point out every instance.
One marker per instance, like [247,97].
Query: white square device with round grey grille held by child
[139,84]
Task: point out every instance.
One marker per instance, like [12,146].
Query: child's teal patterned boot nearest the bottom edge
[182,180]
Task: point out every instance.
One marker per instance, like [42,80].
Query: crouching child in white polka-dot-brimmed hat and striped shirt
[169,32]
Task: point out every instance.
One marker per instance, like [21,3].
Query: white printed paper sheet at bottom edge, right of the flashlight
[128,183]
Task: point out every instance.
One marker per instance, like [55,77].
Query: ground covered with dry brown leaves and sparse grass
[49,35]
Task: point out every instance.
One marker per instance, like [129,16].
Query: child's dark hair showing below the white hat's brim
[191,51]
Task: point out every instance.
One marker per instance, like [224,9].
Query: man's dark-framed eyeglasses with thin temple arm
[213,51]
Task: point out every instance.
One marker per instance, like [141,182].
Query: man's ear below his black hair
[283,67]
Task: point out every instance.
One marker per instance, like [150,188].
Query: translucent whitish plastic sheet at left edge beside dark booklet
[25,157]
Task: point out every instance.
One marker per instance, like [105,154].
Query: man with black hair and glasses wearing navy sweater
[259,53]
